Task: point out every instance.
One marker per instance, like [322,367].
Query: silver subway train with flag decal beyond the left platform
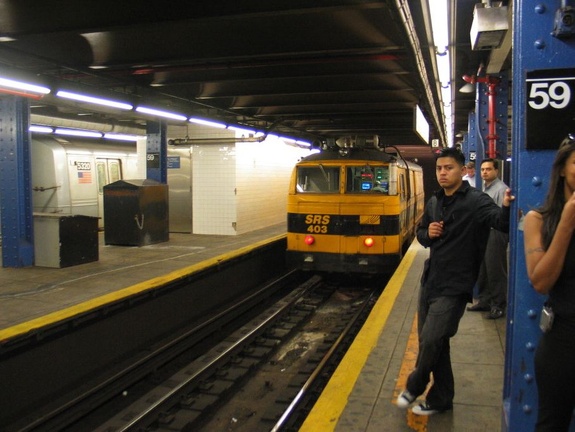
[69,175]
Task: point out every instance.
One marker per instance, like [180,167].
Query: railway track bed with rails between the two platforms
[260,370]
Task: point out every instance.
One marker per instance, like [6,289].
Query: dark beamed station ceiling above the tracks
[305,68]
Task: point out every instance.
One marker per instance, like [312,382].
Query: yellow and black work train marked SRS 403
[352,210]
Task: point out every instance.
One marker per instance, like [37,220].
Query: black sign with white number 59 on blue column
[550,107]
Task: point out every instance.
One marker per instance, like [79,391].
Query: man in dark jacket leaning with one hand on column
[455,226]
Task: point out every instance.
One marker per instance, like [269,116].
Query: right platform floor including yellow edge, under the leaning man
[361,395]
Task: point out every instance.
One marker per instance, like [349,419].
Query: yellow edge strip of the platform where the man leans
[329,407]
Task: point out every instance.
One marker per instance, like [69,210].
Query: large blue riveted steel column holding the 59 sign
[534,48]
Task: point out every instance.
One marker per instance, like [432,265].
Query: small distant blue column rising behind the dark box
[157,152]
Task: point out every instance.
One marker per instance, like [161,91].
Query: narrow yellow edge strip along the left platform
[55,317]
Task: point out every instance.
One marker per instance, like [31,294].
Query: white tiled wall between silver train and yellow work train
[241,187]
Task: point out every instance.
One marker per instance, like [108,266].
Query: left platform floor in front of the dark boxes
[33,292]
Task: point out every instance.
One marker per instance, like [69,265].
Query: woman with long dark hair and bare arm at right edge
[550,259]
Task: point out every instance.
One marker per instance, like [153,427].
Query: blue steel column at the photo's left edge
[15,183]
